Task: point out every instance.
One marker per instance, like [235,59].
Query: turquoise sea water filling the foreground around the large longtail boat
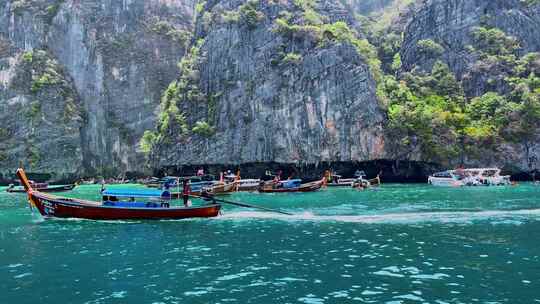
[400,244]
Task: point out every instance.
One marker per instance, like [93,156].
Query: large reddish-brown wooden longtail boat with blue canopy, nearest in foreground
[53,206]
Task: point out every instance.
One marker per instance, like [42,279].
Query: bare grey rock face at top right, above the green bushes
[450,23]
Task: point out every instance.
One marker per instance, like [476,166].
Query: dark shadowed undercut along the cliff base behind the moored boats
[391,171]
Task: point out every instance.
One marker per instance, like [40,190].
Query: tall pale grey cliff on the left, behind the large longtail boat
[80,81]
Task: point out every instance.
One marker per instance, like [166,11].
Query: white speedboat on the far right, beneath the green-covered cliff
[469,177]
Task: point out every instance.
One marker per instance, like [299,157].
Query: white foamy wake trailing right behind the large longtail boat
[393,218]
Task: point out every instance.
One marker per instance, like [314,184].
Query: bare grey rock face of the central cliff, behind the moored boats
[275,97]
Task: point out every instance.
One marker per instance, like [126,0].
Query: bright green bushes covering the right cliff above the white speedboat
[430,114]
